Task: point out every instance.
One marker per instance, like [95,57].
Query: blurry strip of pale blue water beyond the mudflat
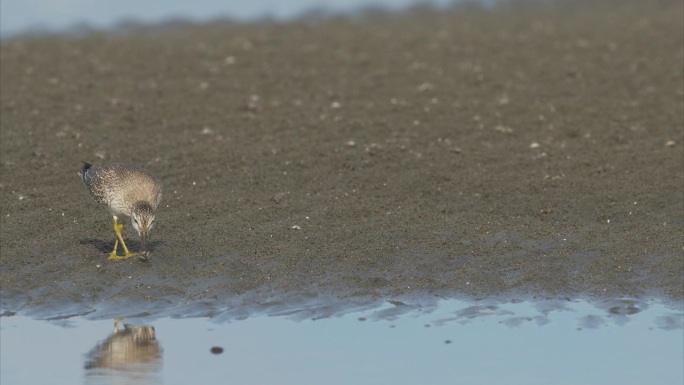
[51,16]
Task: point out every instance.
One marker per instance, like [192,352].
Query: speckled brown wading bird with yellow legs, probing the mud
[126,190]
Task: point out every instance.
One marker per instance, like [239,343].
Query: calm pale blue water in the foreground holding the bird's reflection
[560,342]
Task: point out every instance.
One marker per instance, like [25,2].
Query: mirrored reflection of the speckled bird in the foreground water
[131,355]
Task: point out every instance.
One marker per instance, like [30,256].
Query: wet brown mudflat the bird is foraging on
[520,153]
